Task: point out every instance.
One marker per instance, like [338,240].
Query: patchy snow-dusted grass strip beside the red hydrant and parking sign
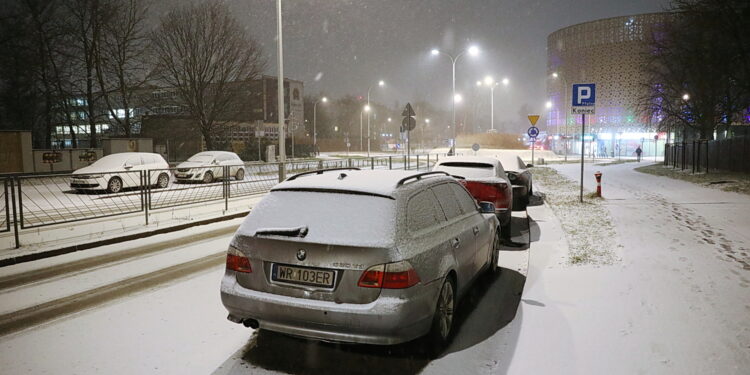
[587,226]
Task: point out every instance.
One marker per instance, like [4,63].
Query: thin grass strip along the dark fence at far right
[727,181]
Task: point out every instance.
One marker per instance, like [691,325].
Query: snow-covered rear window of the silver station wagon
[330,217]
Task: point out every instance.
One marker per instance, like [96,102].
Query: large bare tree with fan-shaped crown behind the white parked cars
[207,57]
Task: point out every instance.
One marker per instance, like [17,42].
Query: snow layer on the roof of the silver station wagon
[380,182]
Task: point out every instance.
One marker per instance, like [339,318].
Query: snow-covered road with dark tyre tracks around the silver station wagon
[179,325]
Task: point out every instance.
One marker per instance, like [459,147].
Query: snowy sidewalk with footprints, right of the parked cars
[676,302]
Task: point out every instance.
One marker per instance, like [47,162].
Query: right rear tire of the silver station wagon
[442,322]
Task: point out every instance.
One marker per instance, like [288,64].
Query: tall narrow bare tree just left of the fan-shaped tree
[121,60]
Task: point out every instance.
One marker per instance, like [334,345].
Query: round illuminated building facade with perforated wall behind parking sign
[610,53]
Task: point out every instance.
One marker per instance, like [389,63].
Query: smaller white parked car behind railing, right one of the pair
[208,166]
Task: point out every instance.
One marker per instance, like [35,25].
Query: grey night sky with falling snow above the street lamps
[350,44]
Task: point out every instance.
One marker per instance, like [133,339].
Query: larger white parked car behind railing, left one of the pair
[119,171]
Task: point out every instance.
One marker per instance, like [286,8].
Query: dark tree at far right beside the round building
[695,68]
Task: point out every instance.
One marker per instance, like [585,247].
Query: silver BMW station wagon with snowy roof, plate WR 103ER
[375,257]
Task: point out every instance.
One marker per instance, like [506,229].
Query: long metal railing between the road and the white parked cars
[33,201]
